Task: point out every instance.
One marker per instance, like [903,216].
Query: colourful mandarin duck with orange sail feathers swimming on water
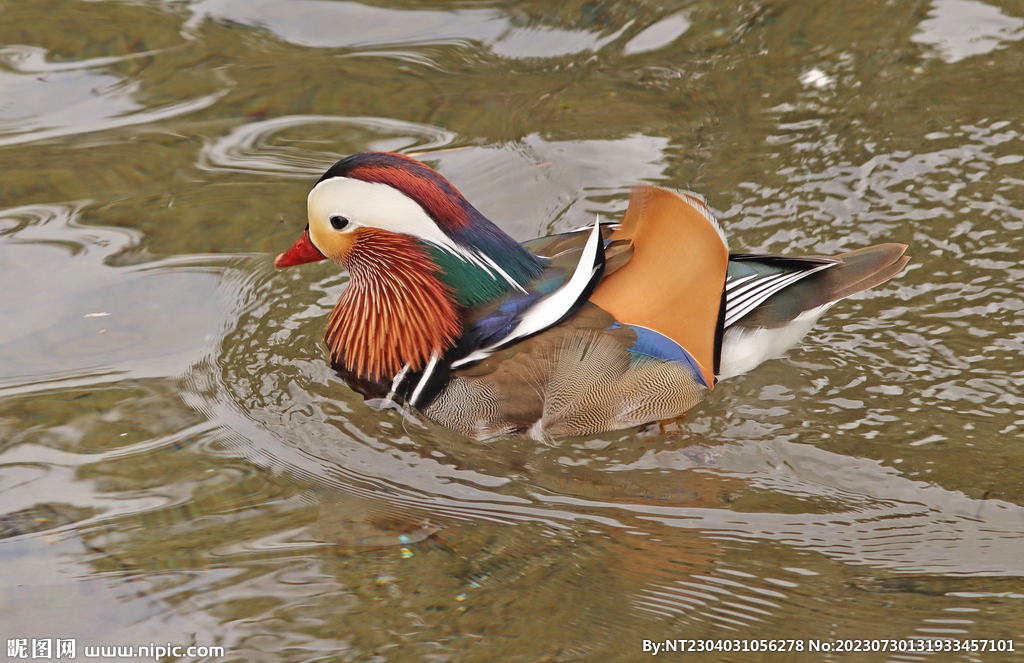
[606,327]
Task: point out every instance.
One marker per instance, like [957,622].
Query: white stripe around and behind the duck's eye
[382,206]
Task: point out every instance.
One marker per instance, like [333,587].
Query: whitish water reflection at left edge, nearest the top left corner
[44,100]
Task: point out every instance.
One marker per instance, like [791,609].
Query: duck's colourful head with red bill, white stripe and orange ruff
[418,256]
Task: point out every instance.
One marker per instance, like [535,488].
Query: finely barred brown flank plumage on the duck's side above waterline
[577,379]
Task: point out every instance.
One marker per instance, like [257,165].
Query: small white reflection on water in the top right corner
[960,29]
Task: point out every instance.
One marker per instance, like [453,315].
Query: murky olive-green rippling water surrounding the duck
[178,464]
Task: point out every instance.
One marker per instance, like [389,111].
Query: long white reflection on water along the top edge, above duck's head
[335,25]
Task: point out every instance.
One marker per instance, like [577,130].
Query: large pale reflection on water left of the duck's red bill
[82,321]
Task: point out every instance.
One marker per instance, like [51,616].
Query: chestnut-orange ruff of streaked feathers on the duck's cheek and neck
[396,310]
